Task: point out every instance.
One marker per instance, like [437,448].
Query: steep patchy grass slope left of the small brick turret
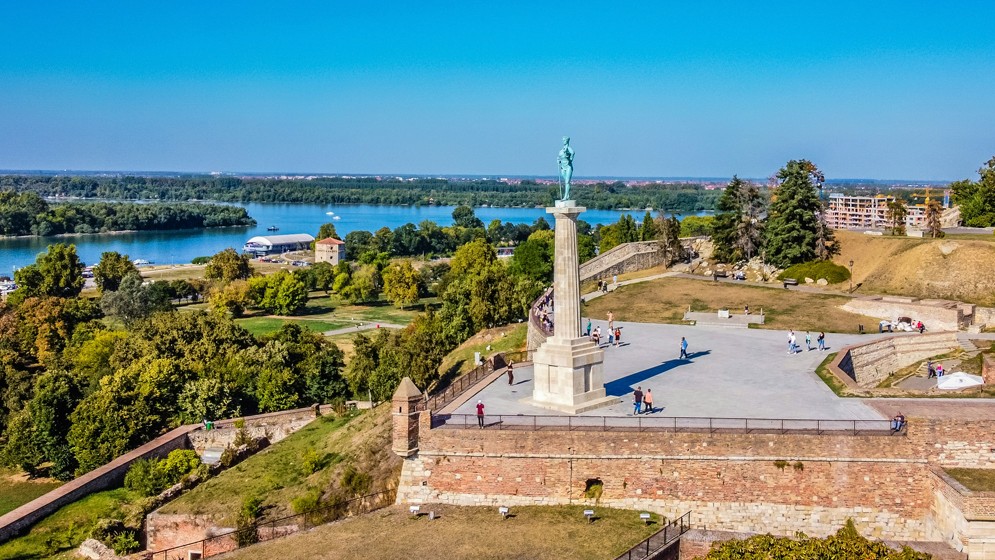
[278,474]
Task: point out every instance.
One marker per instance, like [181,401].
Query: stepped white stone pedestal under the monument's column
[568,376]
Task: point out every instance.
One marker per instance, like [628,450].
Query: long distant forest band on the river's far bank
[680,198]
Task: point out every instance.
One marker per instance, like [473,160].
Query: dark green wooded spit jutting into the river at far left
[27,213]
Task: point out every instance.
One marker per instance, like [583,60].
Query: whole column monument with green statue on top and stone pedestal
[568,367]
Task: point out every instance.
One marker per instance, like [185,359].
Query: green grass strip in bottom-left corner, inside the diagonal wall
[64,530]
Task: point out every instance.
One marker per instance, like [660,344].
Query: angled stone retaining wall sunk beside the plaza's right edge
[868,364]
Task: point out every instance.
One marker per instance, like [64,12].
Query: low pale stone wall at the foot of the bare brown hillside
[937,315]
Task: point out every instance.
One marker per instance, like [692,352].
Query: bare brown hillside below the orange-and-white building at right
[958,268]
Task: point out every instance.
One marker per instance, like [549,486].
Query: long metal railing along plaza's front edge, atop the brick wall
[663,424]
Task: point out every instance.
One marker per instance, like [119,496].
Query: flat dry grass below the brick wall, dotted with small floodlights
[470,533]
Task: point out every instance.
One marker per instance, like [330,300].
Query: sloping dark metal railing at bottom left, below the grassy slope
[269,530]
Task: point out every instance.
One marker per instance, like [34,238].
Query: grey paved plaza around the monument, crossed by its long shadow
[729,373]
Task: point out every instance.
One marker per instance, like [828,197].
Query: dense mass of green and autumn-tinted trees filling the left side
[77,390]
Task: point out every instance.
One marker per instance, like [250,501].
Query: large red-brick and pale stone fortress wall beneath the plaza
[730,481]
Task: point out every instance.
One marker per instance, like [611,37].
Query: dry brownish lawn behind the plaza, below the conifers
[666,300]
